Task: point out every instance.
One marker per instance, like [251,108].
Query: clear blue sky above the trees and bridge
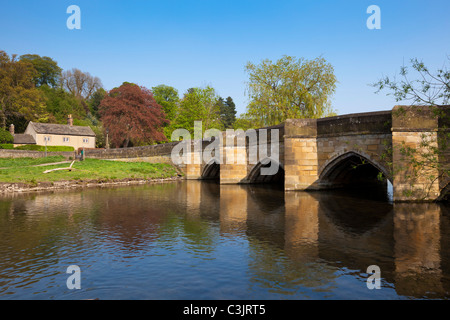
[191,43]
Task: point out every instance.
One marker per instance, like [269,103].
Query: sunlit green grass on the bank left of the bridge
[24,170]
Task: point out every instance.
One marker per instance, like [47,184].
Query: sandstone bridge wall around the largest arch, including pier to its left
[314,147]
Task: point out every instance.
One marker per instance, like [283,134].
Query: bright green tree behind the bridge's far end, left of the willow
[199,104]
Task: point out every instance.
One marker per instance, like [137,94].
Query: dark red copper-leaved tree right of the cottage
[130,113]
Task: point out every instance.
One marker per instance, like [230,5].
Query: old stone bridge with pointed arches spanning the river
[356,149]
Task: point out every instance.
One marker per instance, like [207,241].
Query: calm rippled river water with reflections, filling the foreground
[199,240]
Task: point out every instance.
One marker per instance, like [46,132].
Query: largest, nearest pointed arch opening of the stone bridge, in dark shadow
[352,168]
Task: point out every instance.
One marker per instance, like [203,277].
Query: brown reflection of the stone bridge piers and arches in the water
[409,242]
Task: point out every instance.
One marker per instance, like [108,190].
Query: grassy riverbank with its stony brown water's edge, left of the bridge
[27,175]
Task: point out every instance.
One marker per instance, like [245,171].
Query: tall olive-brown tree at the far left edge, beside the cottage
[19,97]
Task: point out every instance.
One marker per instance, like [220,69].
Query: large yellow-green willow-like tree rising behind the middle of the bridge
[289,88]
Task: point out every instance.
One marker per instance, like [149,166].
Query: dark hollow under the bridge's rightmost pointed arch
[352,170]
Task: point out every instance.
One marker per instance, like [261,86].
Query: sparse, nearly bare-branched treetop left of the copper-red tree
[81,84]
